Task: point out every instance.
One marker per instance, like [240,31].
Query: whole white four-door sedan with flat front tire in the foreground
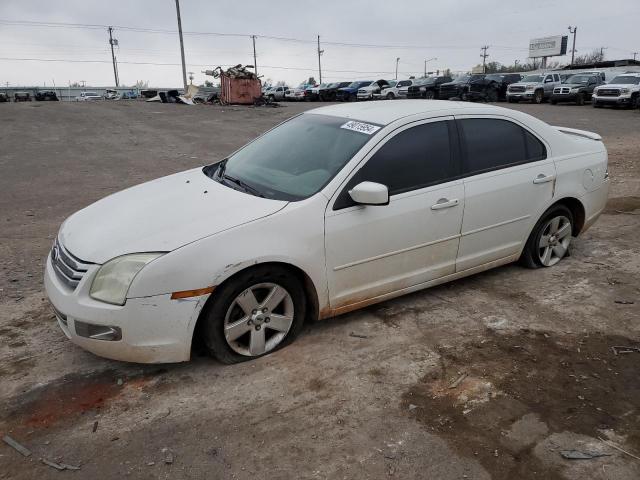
[335,209]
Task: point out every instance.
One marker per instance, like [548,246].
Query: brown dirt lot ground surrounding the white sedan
[488,377]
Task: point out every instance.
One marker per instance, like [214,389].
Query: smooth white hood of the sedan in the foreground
[160,216]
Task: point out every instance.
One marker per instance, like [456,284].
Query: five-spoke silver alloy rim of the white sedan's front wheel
[258,319]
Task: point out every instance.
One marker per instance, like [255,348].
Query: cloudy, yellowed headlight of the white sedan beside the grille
[112,281]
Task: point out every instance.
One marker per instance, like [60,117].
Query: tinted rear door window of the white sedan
[491,144]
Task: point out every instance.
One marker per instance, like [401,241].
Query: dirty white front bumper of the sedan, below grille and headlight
[154,329]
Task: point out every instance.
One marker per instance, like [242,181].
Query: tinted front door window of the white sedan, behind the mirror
[415,158]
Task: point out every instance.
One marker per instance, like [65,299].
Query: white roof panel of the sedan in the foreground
[383,113]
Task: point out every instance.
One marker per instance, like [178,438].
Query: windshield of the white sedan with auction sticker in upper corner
[294,160]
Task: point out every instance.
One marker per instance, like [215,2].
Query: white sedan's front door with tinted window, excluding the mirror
[375,250]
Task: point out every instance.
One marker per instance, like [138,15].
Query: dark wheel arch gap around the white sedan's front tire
[311,294]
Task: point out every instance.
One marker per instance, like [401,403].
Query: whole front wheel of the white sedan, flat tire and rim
[257,336]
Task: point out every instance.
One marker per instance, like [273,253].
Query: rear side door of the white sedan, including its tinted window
[509,180]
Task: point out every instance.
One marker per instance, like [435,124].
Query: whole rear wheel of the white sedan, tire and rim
[535,254]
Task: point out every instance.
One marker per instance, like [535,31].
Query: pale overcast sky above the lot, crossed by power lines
[453,31]
